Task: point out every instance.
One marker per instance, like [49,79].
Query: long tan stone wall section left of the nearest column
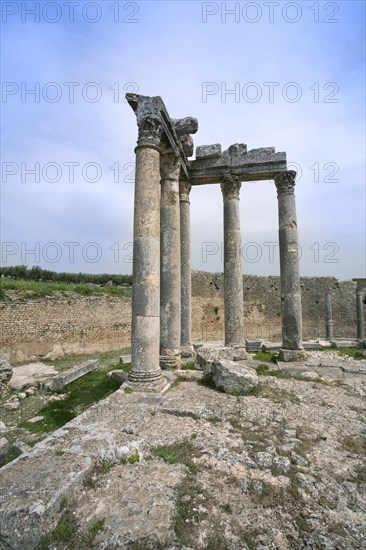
[57,325]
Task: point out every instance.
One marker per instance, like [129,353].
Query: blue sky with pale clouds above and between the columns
[284,74]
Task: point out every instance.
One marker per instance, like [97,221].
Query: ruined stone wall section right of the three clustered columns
[262,304]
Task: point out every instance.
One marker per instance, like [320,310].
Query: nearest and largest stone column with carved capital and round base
[146,374]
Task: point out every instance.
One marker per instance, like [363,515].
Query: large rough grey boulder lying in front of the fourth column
[233,377]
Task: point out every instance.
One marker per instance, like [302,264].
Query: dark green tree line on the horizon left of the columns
[36,273]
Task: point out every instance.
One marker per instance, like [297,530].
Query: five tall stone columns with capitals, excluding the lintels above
[161,304]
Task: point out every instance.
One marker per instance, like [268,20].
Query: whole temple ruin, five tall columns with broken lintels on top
[161,306]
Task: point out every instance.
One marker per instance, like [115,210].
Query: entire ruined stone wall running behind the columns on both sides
[54,326]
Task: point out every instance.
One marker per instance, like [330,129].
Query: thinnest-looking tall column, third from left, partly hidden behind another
[185,266]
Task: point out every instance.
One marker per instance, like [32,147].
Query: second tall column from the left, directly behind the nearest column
[170,262]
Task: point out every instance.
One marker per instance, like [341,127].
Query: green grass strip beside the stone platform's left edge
[80,394]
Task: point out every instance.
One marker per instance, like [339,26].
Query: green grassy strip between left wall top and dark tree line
[31,290]
